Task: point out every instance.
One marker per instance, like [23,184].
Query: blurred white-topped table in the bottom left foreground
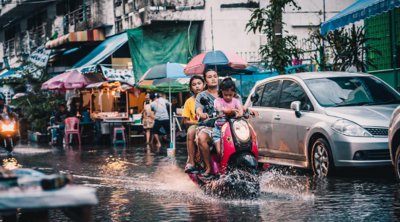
[75,201]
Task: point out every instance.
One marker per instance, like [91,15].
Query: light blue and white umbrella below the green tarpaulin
[167,70]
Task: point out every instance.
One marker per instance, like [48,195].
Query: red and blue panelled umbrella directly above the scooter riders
[217,60]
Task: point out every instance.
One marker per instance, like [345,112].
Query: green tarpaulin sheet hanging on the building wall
[162,43]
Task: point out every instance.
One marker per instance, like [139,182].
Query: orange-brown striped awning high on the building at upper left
[82,36]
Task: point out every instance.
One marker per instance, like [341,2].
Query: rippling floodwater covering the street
[134,184]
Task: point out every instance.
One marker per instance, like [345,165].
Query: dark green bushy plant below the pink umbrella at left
[37,108]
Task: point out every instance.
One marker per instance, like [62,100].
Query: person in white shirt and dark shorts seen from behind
[161,118]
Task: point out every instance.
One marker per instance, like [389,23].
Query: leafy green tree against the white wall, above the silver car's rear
[280,49]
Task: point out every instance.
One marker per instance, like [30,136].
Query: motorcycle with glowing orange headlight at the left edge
[9,131]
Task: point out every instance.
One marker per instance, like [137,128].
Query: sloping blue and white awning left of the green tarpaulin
[104,50]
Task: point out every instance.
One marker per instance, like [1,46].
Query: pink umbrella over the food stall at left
[72,79]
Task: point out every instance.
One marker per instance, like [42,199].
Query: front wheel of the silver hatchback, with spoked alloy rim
[321,158]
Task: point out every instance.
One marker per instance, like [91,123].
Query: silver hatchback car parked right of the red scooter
[323,120]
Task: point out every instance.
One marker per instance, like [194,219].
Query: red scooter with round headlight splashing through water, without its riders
[236,170]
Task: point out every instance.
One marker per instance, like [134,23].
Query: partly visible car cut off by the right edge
[394,141]
